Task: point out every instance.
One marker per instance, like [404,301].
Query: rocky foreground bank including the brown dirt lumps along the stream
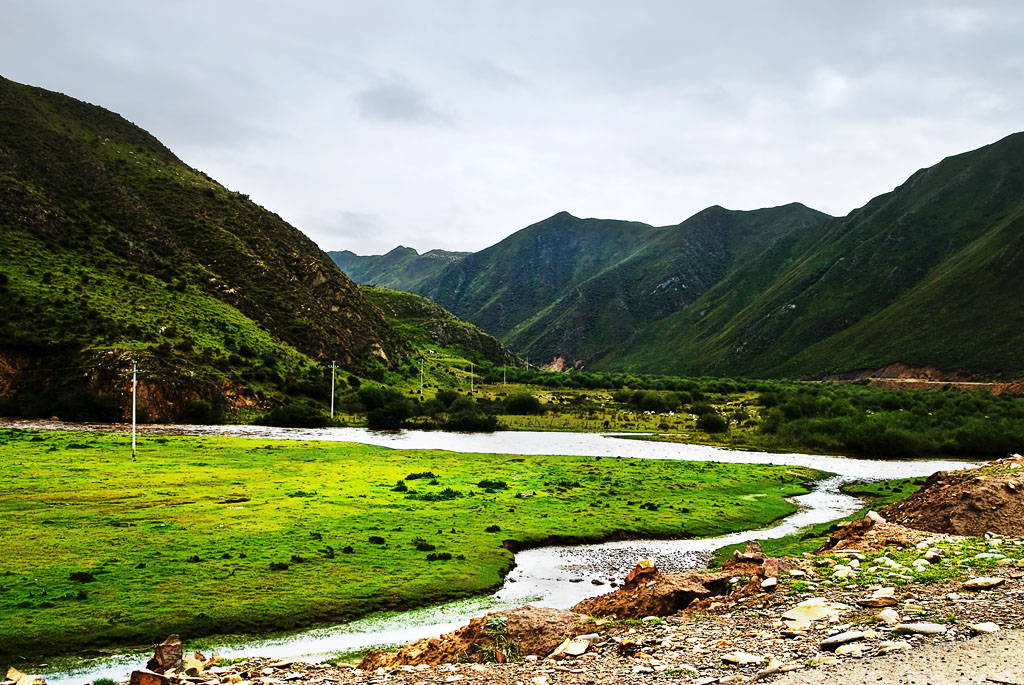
[880,604]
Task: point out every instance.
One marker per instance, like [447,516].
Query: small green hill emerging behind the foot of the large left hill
[433,330]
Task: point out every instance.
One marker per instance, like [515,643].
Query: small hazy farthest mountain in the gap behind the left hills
[403,269]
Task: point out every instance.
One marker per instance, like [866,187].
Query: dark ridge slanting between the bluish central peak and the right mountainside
[675,267]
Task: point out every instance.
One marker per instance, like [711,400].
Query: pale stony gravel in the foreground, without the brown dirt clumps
[861,613]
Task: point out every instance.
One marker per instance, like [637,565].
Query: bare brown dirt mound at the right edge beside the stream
[968,503]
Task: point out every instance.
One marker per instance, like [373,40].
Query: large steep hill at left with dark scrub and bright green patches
[112,249]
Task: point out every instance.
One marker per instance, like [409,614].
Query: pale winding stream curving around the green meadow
[542,576]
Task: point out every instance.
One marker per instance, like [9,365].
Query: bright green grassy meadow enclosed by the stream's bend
[76,502]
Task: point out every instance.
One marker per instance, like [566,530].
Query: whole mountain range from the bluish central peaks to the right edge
[928,275]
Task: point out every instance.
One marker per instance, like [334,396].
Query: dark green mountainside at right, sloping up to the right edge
[929,274]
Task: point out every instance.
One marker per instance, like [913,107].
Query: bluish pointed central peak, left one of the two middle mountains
[509,283]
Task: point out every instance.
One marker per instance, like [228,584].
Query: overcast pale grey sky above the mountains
[452,124]
